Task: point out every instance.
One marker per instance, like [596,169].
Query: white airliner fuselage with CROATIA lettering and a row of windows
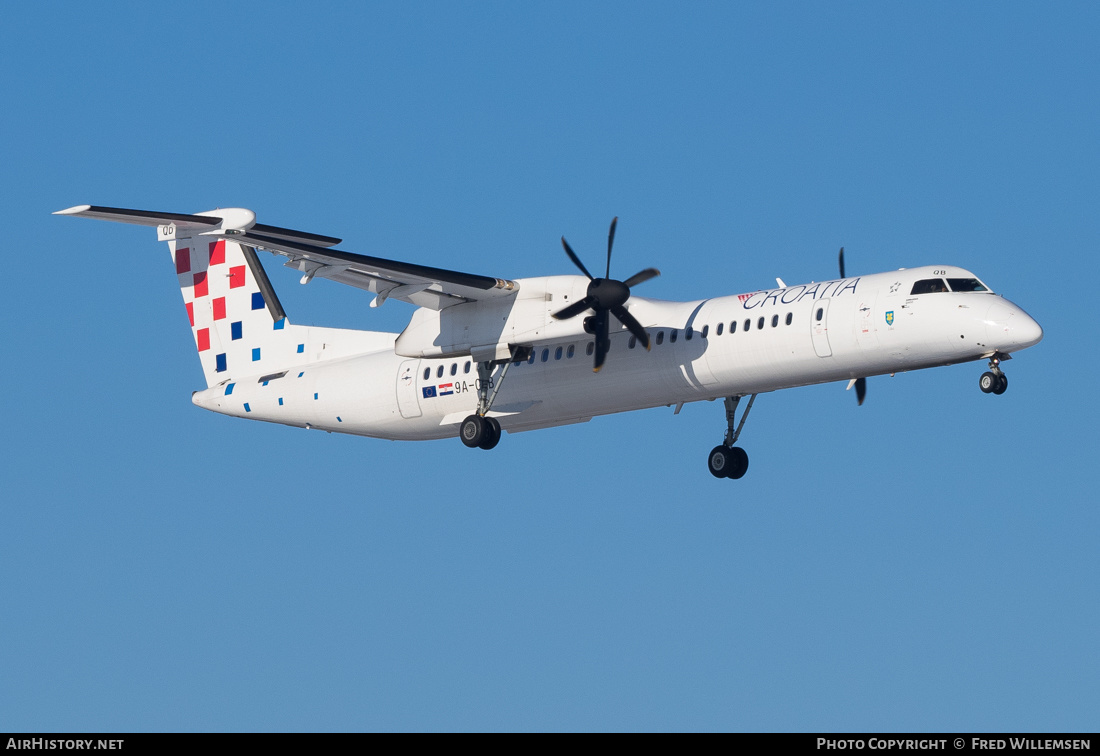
[731,346]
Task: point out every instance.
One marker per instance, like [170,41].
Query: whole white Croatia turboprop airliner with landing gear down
[482,355]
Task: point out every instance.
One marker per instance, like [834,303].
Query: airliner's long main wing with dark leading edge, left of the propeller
[422,286]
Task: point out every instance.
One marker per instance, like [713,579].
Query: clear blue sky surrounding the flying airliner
[927,562]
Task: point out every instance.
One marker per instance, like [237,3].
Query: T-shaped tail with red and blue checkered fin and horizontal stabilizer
[238,323]
